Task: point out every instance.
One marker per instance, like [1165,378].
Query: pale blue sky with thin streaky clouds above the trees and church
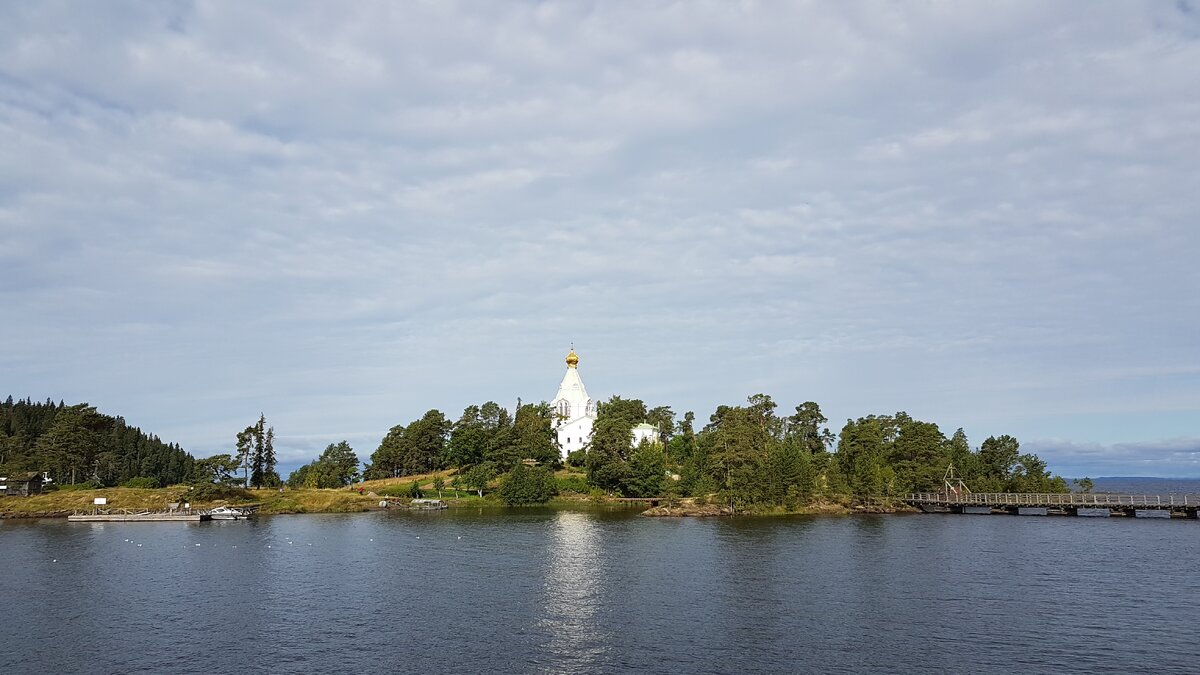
[343,216]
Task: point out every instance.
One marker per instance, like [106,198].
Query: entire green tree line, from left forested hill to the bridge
[748,456]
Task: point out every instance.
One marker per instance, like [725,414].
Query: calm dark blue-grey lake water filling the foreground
[539,592]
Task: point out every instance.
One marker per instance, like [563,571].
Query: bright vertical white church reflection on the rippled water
[573,593]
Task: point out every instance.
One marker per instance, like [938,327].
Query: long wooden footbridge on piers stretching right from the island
[1058,504]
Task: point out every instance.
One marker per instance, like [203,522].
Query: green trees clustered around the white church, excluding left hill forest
[747,456]
